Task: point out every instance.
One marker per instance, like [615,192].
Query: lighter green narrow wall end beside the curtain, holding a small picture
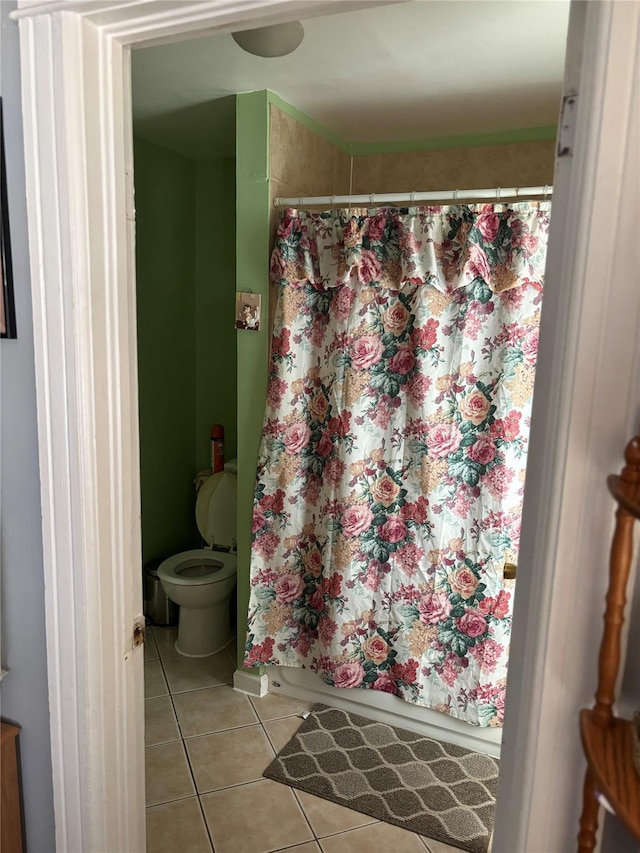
[252,260]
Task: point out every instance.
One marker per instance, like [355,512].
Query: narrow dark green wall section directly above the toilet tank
[216,362]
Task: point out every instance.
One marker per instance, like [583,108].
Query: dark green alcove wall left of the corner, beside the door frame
[165,274]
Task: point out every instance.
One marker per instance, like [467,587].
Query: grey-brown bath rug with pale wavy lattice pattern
[436,789]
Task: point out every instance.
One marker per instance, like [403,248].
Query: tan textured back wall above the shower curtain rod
[513,164]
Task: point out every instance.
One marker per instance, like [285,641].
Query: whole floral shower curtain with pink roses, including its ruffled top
[392,464]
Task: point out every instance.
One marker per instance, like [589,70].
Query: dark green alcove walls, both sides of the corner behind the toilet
[185,271]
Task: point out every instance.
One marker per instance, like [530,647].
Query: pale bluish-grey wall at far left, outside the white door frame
[23,692]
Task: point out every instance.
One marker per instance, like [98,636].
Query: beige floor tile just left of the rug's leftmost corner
[229,758]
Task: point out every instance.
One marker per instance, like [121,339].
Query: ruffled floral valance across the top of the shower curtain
[446,247]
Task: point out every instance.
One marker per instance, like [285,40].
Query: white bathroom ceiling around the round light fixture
[413,70]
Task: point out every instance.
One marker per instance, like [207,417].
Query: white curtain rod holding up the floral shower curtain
[375,199]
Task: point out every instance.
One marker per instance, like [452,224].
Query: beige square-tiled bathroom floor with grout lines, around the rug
[206,748]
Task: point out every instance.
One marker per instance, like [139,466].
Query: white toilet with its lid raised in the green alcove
[202,580]
